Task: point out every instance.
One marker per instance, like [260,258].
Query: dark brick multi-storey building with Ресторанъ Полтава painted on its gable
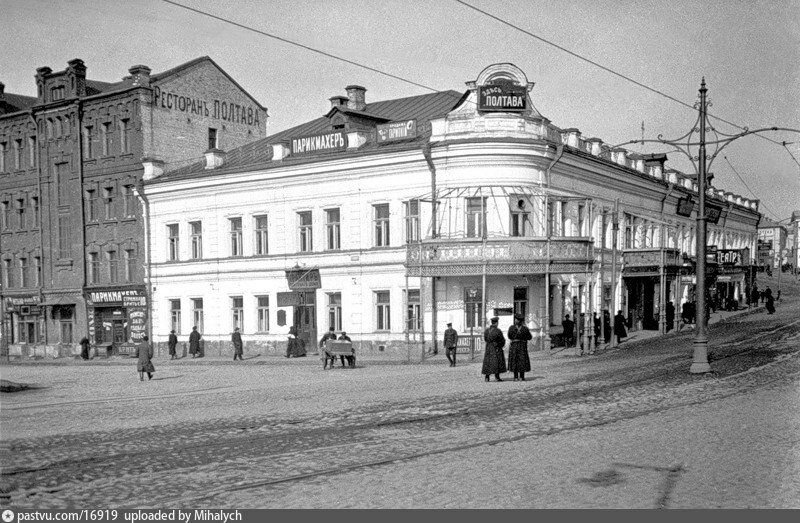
[72,248]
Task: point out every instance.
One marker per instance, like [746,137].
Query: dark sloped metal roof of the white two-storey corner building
[422,108]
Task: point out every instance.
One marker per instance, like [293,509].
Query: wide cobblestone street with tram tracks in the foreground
[628,427]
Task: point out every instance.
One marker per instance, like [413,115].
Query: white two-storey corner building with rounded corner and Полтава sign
[390,219]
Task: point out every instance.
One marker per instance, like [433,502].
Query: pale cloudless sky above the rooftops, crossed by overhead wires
[748,51]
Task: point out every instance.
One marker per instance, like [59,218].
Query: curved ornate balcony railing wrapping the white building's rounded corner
[499,256]
